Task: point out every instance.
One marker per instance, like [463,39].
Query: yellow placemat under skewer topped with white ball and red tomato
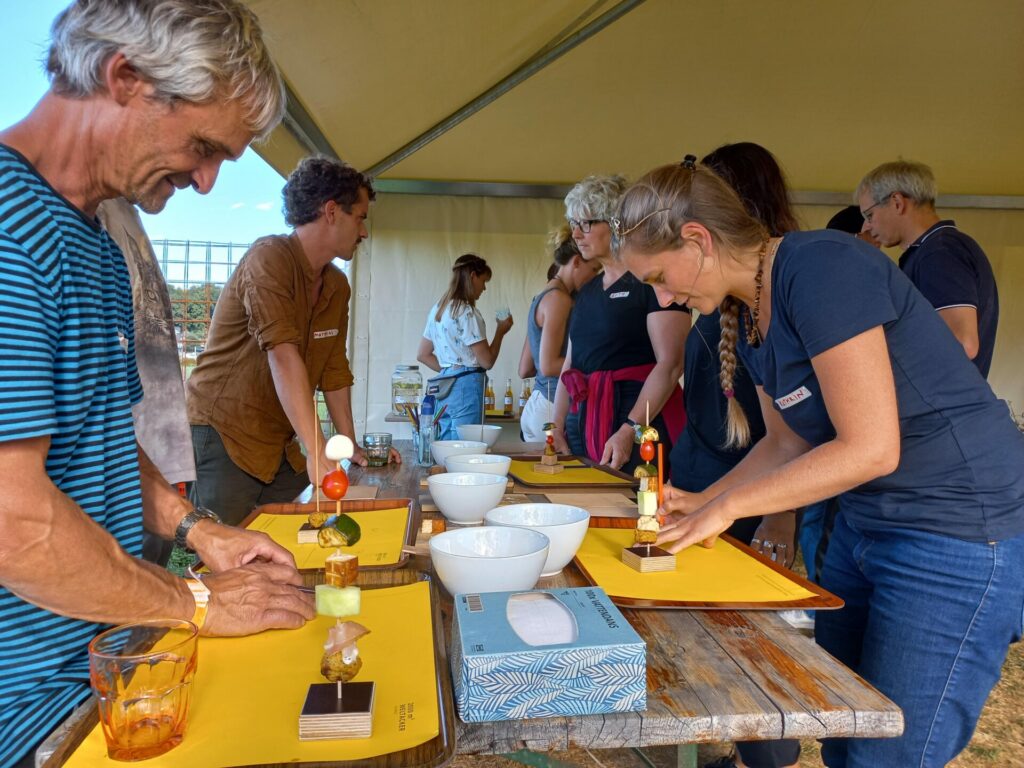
[381,543]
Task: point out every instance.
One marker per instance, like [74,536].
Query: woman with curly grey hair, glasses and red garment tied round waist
[625,355]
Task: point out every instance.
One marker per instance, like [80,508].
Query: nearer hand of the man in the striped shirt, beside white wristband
[254,599]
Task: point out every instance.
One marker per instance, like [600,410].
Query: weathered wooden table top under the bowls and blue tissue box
[713,676]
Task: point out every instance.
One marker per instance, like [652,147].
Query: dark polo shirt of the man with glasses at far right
[952,271]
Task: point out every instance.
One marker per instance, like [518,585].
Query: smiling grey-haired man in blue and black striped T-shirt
[146,98]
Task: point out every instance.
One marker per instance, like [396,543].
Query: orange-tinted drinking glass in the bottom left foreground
[142,675]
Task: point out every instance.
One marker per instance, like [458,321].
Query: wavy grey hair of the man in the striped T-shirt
[197,52]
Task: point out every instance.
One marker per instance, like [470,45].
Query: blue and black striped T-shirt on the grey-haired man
[67,347]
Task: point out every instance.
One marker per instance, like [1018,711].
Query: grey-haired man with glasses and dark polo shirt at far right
[898,201]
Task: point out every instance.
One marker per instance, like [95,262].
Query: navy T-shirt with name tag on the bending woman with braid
[961,455]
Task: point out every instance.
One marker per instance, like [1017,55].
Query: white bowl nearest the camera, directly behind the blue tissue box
[489,560]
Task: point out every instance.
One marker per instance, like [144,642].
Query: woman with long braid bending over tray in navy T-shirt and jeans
[867,396]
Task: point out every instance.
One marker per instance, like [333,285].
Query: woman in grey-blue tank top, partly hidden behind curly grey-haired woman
[547,332]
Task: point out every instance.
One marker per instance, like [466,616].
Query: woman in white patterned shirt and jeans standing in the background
[455,344]
